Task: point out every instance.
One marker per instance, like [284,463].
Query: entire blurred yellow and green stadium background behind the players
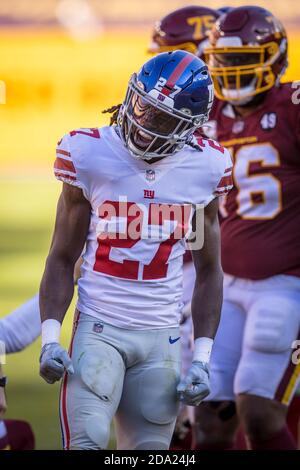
[62,62]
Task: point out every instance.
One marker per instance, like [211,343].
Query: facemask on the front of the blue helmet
[151,129]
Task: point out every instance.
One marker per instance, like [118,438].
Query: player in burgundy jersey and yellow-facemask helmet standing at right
[258,119]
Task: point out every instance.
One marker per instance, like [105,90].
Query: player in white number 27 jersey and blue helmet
[131,192]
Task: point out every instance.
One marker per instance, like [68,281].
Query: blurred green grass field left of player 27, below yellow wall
[27,212]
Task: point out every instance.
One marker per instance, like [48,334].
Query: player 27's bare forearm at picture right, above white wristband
[207,302]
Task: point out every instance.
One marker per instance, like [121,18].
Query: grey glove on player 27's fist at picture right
[195,386]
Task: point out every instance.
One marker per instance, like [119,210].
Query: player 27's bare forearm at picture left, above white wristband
[57,288]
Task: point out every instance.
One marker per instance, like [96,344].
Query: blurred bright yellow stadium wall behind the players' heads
[55,84]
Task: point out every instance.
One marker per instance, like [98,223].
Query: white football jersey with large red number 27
[140,217]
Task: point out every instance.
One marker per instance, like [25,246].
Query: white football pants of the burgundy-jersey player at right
[253,348]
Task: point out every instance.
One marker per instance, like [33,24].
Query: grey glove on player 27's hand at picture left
[54,360]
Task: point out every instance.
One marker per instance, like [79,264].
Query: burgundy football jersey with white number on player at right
[261,215]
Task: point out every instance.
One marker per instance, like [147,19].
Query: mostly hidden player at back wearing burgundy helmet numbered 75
[185,29]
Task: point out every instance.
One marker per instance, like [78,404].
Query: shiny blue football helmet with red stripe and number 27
[166,101]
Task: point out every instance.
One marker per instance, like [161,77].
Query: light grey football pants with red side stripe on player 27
[129,375]
